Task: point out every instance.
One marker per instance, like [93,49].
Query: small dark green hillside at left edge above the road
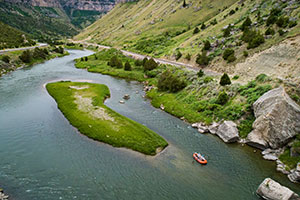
[11,37]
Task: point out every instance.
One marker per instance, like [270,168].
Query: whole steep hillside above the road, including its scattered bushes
[167,29]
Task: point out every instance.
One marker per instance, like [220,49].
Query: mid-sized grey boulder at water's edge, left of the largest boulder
[228,132]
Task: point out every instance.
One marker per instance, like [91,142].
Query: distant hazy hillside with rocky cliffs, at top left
[53,18]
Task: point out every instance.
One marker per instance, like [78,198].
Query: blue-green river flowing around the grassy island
[43,157]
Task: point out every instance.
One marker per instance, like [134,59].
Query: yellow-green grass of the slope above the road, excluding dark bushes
[119,27]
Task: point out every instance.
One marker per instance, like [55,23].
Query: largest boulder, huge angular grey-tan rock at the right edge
[277,120]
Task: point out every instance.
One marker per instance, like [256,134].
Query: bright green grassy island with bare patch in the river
[82,104]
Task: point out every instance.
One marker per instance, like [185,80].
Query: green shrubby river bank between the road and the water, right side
[203,100]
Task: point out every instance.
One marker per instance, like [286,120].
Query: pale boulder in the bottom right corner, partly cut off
[271,190]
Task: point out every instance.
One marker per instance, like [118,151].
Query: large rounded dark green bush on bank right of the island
[169,82]
